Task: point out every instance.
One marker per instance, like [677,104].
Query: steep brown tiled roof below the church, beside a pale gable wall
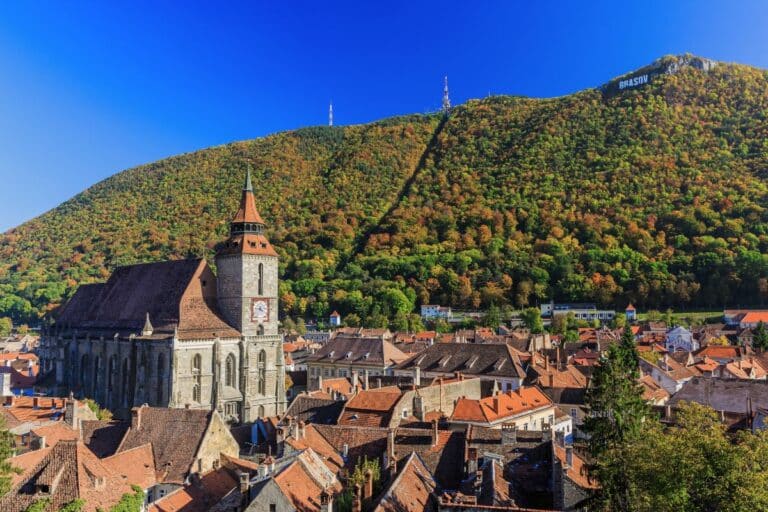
[175,435]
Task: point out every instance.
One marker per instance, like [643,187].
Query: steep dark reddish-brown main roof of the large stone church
[176,294]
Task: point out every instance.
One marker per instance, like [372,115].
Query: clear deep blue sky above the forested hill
[90,88]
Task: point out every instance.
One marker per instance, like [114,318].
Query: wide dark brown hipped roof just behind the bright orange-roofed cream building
[490,359]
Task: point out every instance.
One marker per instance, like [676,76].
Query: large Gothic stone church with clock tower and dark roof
[173,334]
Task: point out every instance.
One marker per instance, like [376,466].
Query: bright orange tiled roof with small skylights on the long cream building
[501,406]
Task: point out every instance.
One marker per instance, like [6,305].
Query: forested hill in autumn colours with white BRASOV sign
[651,192]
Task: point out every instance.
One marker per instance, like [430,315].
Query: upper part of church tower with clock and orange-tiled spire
[248,272]
